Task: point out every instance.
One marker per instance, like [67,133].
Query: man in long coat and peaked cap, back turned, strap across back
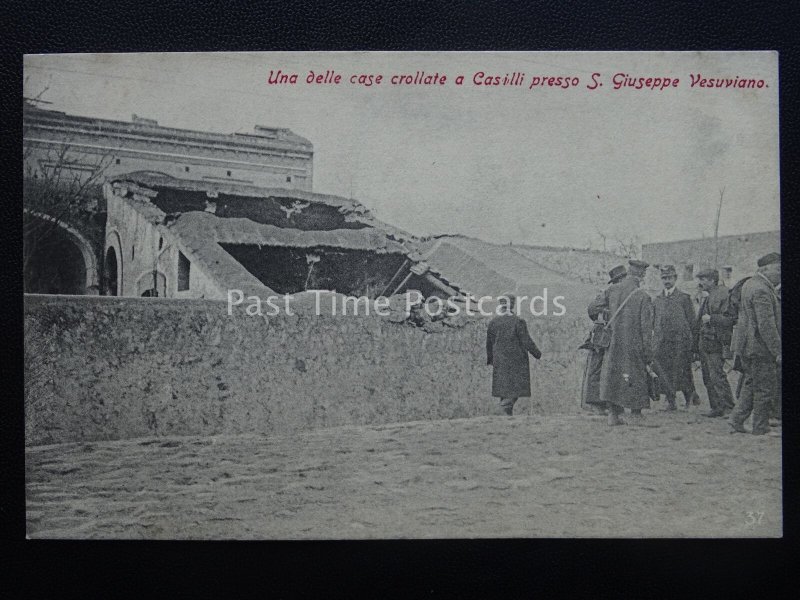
[624,379]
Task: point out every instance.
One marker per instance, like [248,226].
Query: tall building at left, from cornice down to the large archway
[62,150]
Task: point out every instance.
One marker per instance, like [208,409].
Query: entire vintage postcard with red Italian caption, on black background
[363,295]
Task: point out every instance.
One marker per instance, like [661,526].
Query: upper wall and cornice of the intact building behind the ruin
[268,156]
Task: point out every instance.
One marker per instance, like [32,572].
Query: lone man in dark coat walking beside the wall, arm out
[507,346]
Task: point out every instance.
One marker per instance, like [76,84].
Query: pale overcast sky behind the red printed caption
[541,166]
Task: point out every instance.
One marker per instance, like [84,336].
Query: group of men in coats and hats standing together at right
[641,348]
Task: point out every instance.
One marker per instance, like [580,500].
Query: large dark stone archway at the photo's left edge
[63,263]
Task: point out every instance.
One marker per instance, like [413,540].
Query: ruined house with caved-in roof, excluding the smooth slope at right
[178,238]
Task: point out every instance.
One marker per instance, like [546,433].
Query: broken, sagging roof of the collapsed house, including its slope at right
[465,265]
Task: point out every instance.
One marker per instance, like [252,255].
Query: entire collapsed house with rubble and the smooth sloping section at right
[177,238]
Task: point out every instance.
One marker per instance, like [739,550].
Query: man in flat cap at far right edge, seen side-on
[759,346]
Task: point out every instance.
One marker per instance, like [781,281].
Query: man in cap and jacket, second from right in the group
[714,327]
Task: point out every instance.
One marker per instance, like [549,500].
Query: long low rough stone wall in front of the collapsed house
[111,368]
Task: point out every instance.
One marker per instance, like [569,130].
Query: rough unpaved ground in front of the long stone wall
[483,477]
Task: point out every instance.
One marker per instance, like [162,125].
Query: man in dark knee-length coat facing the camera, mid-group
[673,336]
